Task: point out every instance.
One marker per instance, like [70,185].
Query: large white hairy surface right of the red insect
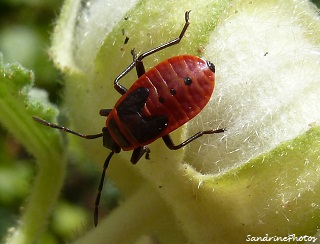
[267,87]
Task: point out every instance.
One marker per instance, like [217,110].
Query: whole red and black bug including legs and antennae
[160,101]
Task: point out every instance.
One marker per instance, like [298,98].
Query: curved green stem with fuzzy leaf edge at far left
[18,103]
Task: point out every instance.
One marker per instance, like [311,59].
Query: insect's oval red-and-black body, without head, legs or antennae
[178,89]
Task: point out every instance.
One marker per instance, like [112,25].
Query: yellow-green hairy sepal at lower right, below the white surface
[276,193]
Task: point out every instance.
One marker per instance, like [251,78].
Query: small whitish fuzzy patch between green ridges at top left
[95,21]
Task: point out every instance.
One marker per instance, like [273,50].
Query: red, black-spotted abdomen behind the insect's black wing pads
[179,88]
